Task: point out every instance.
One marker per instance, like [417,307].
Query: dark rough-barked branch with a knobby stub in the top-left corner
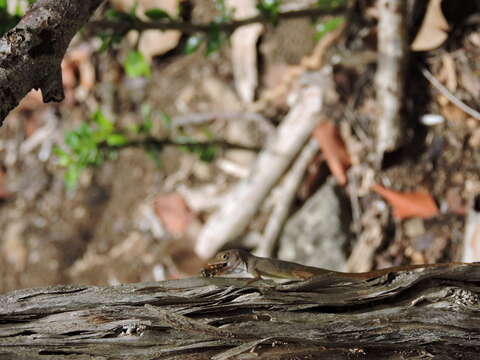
[31,52]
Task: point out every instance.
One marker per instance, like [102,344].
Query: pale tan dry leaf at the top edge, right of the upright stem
[433,31]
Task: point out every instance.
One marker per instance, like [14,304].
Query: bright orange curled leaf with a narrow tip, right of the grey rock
[411,204]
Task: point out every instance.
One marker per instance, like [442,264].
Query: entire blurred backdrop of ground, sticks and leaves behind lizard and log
[166,138]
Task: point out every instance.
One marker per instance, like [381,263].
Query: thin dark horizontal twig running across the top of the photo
[191,28]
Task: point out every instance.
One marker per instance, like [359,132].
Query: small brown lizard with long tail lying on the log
[237,261]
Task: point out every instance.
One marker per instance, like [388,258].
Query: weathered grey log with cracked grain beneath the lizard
[417,314]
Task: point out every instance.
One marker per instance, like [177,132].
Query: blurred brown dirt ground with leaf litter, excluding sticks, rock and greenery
[109,230]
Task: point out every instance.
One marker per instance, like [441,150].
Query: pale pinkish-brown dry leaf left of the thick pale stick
[173,212]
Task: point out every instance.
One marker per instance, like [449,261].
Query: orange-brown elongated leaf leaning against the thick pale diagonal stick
[334,150]
